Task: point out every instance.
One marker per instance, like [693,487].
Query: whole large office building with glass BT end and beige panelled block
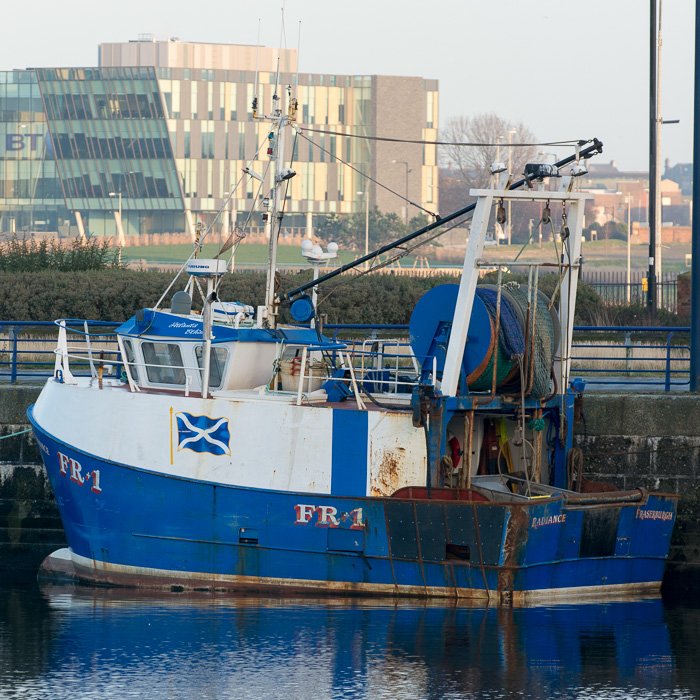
[154,147]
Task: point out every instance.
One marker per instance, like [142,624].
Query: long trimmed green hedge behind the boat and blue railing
[115,294]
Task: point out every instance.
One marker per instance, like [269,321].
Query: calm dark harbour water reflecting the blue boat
[77,642]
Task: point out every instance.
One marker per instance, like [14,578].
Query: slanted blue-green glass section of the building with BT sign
[89,142]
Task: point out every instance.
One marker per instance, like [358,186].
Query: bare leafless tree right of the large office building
[473,163]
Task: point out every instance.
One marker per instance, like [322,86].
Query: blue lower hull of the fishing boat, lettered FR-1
[126,525]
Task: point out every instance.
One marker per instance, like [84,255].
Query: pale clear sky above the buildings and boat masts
[566,69]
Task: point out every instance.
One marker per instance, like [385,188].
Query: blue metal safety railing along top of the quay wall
[654,357]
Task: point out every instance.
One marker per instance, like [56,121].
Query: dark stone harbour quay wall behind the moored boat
[630,440]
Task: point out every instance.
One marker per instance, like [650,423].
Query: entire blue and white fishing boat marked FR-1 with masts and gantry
[231,452]
